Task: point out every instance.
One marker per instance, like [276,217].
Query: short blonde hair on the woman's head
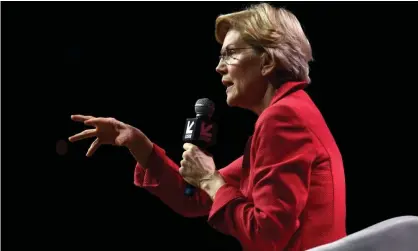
[277,31]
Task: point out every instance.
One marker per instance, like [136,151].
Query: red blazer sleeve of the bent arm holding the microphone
[281,156]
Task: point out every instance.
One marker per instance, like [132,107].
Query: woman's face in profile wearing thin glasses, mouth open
[240,67]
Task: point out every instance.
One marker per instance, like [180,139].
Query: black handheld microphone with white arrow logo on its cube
[200,131]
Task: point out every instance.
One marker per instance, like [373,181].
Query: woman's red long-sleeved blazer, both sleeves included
[287,191]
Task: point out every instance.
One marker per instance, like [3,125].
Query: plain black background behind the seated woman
[146,64]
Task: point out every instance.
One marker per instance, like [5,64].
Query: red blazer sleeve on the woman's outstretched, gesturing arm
[162,179]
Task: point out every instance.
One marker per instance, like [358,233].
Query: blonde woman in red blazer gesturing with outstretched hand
[287,191]
